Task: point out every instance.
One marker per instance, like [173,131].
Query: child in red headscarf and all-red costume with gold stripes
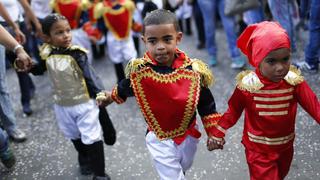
[269,95]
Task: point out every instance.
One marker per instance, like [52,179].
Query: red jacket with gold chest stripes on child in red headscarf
[270,110]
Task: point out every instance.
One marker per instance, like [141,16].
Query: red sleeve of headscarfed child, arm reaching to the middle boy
[230,117]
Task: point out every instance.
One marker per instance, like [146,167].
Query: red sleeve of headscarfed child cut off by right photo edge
[308,100]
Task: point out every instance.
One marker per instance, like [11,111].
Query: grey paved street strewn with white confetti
[48,155]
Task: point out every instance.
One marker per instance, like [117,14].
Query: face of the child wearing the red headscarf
[276,64]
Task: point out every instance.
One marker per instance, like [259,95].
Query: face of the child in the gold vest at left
[60,34]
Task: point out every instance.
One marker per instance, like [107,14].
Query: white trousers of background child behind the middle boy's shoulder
[120,50]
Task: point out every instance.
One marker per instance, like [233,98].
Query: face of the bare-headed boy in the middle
[161,42]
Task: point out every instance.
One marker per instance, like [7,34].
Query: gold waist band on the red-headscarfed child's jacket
[271,141]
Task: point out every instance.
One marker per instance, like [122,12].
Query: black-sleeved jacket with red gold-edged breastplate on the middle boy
[169,97]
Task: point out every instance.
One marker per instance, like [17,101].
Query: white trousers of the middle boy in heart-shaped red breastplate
[171,160]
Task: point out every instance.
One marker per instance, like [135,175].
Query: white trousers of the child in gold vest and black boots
[79,121]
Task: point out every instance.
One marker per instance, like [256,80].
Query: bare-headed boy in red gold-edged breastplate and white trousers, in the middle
[169,88]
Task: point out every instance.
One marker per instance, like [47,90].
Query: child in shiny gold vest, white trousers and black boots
[75,84]
